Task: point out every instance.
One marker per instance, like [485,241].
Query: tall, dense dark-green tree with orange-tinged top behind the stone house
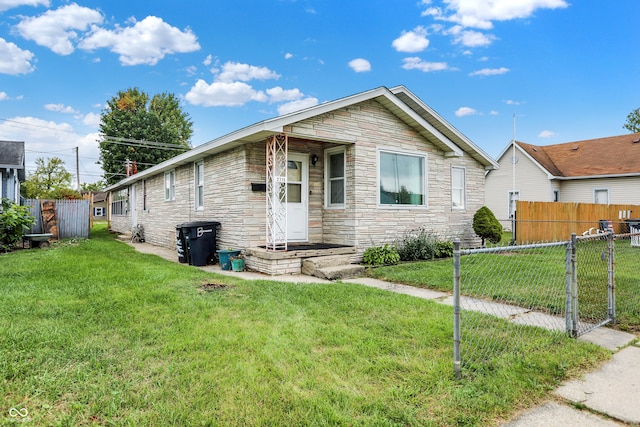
[130,118]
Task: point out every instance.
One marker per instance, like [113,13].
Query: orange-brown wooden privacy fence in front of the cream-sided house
[553,221]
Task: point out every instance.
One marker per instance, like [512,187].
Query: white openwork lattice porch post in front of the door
[277,156]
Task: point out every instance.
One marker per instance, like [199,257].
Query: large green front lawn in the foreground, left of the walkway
[94,333]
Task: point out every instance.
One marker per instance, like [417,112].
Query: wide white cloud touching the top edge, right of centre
[482,13]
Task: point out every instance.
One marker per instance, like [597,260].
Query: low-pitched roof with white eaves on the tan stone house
[399,100]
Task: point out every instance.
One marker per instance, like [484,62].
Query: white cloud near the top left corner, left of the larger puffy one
[55,29]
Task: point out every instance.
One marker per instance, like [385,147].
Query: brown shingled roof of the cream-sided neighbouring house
[615,155]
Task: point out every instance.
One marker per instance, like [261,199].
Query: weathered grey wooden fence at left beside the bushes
[73,217]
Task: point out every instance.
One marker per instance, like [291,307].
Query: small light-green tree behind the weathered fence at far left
[51,180]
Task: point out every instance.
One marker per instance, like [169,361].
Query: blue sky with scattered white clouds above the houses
[566,70]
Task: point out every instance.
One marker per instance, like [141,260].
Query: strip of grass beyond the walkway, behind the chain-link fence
[535,278]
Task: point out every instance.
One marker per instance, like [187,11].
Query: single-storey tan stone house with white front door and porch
[360,172]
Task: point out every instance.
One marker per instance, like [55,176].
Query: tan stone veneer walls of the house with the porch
[364,128]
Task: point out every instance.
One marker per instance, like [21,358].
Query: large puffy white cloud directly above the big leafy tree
[146,42]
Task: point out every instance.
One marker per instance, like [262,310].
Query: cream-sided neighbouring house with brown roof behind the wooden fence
[603,170]
